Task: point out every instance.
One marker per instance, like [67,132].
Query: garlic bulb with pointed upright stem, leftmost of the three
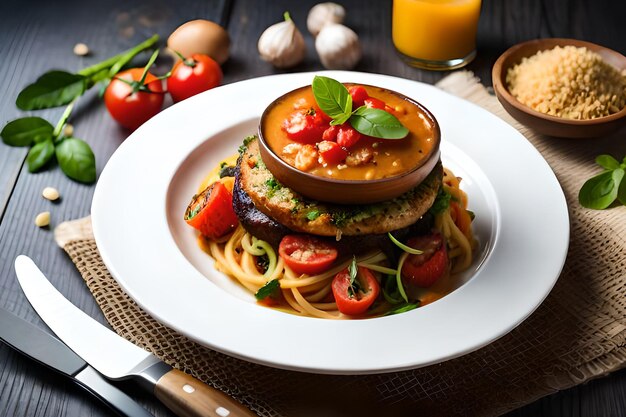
[282,44]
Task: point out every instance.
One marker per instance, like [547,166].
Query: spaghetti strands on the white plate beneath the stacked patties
[238,255]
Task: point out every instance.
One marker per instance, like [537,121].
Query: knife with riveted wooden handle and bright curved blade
[115,357]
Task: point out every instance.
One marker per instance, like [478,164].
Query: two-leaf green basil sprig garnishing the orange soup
[334,99]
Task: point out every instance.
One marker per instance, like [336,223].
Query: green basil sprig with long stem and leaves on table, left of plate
[54,89]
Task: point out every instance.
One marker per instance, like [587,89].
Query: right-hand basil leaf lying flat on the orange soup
[377,123]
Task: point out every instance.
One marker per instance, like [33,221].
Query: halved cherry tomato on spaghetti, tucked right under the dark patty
[306,254]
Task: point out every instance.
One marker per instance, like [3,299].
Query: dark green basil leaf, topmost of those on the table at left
[53,89]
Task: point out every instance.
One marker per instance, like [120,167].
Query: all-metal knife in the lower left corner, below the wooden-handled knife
[46,349]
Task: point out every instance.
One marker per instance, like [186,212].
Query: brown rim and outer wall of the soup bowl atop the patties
[349,191]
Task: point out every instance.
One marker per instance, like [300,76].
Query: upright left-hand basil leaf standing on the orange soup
[333,98]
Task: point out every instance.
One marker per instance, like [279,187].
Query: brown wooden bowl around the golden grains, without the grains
[543,123]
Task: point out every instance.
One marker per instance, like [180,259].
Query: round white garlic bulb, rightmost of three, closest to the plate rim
[338,47]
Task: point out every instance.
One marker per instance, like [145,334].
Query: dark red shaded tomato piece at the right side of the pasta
[425,269]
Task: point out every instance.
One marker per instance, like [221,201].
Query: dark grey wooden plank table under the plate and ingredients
[39,35]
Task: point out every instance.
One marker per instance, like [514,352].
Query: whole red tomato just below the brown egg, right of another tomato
[193,75]
